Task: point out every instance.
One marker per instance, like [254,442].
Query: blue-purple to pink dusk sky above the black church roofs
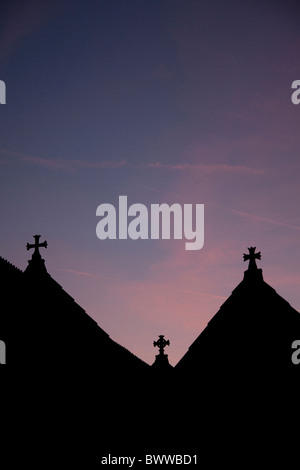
[164,101]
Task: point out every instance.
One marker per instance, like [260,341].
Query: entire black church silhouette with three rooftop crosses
[86,396]
